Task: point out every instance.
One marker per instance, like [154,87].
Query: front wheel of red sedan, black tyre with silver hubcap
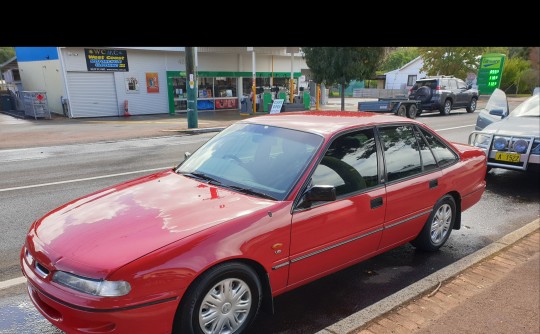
[225,299]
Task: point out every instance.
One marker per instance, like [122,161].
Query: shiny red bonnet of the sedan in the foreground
[107,229]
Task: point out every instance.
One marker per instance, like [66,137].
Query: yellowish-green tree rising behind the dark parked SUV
[456,61]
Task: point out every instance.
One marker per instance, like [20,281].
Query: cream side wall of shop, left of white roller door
[44,76]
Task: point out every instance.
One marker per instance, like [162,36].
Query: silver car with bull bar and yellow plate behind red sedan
[511,140]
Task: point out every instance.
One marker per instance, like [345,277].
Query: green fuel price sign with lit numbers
[490,72]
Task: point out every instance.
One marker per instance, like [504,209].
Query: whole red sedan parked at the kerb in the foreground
[265,206]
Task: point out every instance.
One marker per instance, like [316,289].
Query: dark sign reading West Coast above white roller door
[106,60]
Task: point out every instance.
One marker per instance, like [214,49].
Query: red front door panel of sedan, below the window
[335,234]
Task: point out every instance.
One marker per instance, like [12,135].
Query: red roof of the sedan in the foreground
[326,123]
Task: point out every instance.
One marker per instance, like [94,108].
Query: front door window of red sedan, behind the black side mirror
[349,164]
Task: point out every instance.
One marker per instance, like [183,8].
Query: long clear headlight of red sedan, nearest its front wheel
[92,286]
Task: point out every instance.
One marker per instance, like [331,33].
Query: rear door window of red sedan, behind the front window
[401,152]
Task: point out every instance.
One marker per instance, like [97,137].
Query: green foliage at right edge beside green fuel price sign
[518,76]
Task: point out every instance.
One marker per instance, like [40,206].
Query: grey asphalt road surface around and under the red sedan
[510,201]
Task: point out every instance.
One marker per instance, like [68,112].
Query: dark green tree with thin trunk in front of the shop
[340,65]
